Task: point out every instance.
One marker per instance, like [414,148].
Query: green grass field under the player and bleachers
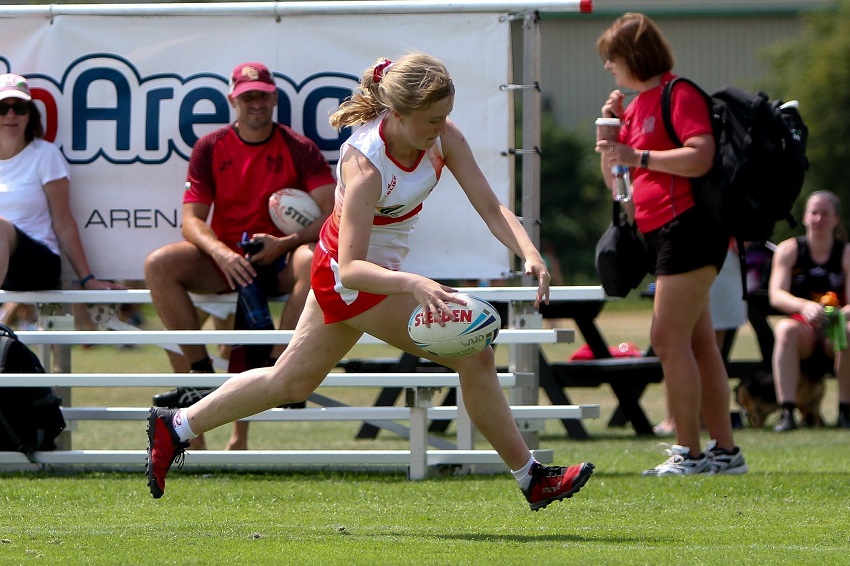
[792,508]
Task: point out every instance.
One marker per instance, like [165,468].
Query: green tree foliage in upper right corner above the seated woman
[814,68]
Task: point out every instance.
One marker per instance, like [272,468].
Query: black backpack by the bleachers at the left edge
[30,417]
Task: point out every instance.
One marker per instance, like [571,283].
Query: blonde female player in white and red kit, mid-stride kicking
[386,169]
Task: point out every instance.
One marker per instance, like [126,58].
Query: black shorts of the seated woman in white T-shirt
[33,266]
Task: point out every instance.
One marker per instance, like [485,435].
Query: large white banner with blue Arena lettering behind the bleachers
[126,97]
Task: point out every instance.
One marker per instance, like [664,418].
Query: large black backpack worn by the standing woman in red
[759,165]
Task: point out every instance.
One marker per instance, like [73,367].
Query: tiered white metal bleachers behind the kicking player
[424,453]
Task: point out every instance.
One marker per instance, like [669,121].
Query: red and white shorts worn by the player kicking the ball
[337,302]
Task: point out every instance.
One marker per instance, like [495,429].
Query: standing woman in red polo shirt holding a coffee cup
[687,250]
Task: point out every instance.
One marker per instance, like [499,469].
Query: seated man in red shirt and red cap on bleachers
[232,173]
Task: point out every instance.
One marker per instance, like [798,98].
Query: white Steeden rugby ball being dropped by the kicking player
[469,329]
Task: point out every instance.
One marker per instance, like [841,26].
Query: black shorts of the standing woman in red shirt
[686,243]
